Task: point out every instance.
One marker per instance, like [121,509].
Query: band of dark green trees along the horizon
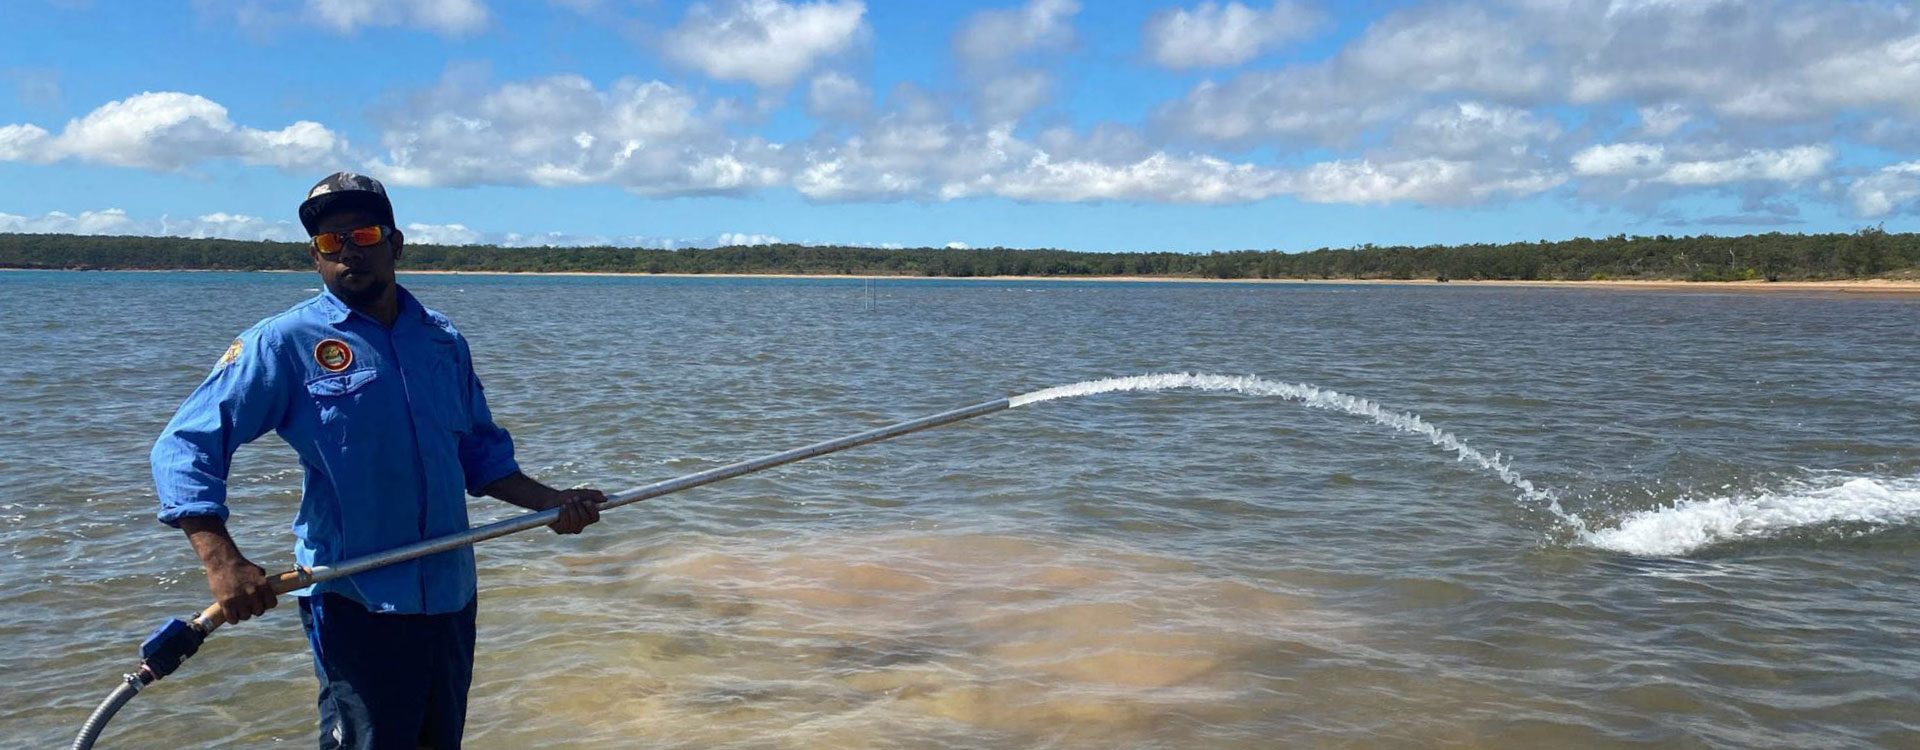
[1865,254]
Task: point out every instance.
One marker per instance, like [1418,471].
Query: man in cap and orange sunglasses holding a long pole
[379,398]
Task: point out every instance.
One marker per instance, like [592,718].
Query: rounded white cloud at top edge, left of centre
[763,41]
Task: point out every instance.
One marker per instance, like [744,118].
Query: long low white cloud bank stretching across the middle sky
[660,141]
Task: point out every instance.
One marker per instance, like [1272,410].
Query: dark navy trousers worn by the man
[389,680]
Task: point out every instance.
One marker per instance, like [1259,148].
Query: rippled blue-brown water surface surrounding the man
[1735,565]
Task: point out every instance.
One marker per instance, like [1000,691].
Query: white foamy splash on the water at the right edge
[1694,525]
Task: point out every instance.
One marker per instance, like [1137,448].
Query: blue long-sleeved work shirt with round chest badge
[391,427]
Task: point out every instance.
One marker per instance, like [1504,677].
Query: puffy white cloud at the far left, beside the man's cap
[172,131]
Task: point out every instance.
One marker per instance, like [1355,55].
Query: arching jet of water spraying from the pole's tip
[1318,398]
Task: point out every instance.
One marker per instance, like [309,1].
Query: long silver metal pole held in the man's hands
[302,578]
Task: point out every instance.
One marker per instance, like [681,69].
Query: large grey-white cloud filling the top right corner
[1737,62]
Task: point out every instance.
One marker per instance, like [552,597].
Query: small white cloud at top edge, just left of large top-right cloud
[1211,35]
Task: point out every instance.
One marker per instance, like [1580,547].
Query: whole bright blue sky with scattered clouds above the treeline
[1045,124]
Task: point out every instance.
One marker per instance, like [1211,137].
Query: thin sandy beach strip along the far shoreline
[1873,287]
